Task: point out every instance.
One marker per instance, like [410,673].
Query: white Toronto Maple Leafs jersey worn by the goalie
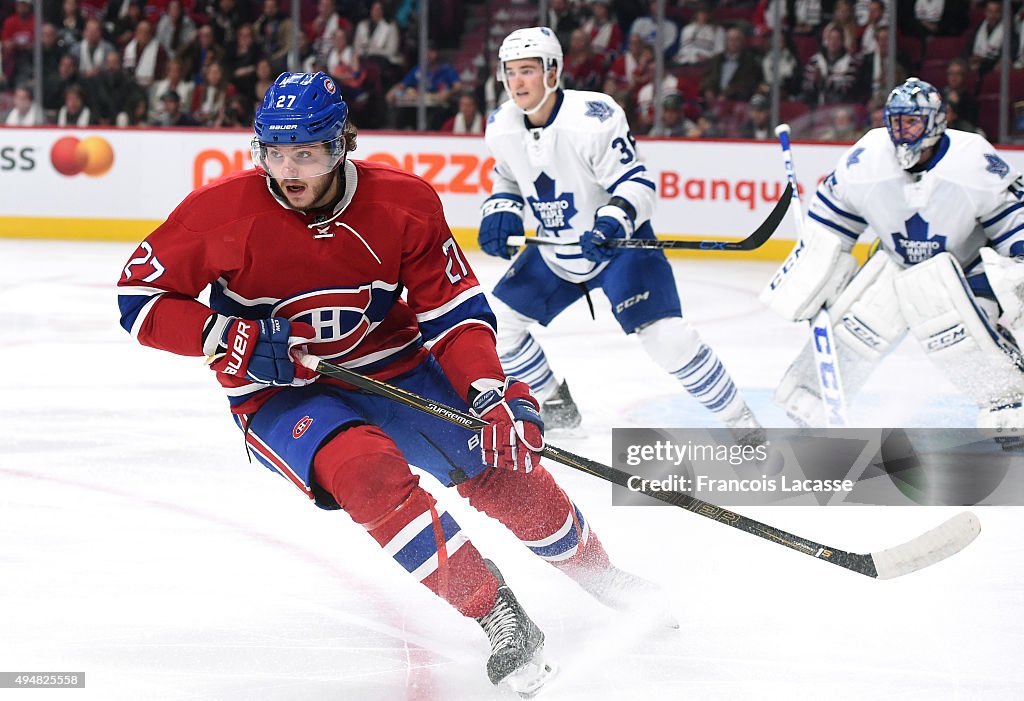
[968,198]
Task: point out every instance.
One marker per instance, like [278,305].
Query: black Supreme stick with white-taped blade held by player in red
[928,549]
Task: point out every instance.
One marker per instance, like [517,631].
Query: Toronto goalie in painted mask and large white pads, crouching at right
[949,213]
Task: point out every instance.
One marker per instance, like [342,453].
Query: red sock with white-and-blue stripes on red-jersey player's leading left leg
[367,474]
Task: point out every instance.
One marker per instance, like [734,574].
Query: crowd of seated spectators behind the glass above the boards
[208,63]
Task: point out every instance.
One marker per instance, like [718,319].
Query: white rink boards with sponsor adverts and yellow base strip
[111,185]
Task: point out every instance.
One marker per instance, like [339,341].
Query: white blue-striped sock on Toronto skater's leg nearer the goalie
[675,345]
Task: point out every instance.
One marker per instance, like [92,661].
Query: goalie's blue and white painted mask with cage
[916,119]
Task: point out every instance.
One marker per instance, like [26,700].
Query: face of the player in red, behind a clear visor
[305,174]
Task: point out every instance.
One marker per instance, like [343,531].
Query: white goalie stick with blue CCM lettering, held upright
[823,339]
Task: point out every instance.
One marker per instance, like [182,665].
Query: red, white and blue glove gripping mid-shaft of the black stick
[514,437]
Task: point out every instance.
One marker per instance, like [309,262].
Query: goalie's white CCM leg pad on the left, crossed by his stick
[868,324]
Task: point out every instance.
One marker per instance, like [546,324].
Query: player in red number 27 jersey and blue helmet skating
[313,252]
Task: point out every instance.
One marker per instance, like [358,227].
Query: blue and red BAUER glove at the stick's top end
[262,350]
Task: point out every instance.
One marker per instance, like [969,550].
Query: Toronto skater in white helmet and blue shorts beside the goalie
[570,157]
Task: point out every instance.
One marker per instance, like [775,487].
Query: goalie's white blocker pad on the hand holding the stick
[814,275]
